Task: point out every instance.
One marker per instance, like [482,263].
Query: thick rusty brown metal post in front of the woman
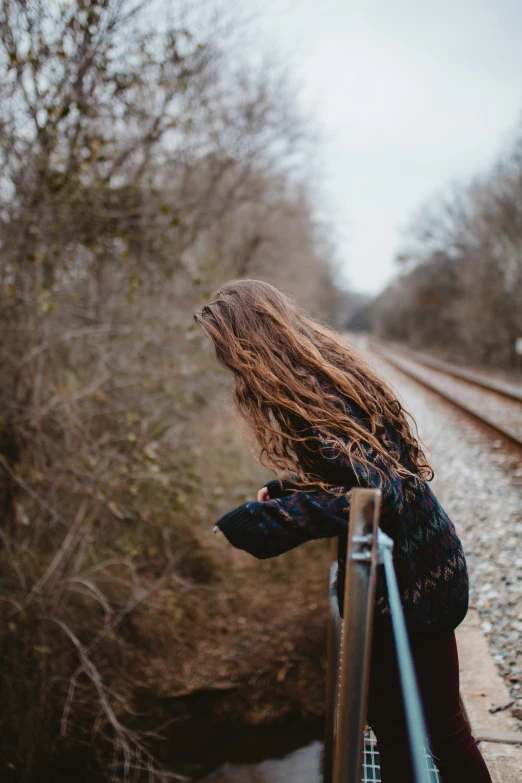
[359,591]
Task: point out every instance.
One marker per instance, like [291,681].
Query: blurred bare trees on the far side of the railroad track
[460,288]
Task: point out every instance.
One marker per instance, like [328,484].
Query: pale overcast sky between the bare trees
[410,96]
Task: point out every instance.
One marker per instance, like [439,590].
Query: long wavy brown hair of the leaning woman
[291,374]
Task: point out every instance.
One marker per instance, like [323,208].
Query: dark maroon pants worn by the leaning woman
[454,750]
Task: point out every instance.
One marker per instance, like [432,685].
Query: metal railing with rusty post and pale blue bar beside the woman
[349,648]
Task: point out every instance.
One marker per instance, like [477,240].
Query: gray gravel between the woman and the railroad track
[479,486]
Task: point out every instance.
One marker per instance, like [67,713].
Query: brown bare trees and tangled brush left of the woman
[141,164]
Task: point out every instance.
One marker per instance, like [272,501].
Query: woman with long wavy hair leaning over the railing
[327,422]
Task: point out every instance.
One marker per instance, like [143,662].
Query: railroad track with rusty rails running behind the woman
[490,402]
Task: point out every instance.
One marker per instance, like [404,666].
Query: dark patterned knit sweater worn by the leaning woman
[428,556]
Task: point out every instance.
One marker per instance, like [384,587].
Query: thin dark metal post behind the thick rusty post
[332,672]
